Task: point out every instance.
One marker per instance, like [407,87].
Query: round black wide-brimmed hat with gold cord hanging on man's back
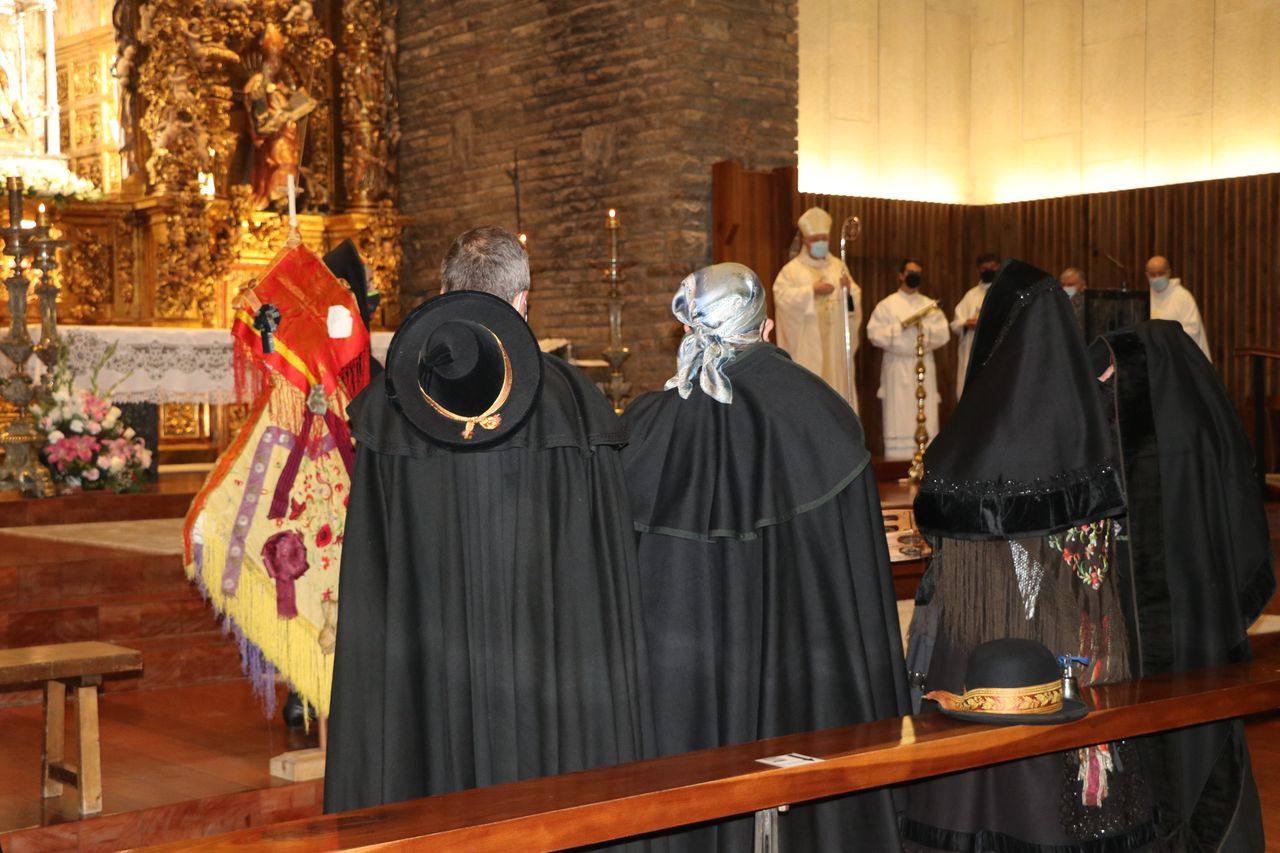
[465,370]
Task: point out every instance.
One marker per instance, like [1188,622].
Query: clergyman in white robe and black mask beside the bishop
[898,370]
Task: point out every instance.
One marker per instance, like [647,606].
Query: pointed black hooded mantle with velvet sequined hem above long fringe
[1028,450]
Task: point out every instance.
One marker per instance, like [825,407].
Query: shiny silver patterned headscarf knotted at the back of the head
[724,307]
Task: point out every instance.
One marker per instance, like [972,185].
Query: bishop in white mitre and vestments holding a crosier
[811,307]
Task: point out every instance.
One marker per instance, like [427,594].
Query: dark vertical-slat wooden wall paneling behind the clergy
[1223,239]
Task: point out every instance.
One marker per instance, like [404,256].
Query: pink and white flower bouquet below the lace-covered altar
[90,446]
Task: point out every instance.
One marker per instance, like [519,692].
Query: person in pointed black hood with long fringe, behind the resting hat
[1023,503]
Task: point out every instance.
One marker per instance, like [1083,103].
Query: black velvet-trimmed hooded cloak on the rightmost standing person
[1201,568]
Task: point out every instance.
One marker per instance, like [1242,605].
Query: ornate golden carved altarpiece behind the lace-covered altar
[191,116]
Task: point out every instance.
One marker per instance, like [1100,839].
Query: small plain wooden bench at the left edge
[80,667]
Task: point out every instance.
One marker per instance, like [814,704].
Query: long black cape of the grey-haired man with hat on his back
[490,623]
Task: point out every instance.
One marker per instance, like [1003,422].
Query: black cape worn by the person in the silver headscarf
[769,599]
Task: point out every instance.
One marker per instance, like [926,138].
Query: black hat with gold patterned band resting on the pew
[1012,682]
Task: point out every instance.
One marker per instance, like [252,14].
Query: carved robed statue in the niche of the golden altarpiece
[276,117]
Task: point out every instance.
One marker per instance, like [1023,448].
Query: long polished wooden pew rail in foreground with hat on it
[574,810]
